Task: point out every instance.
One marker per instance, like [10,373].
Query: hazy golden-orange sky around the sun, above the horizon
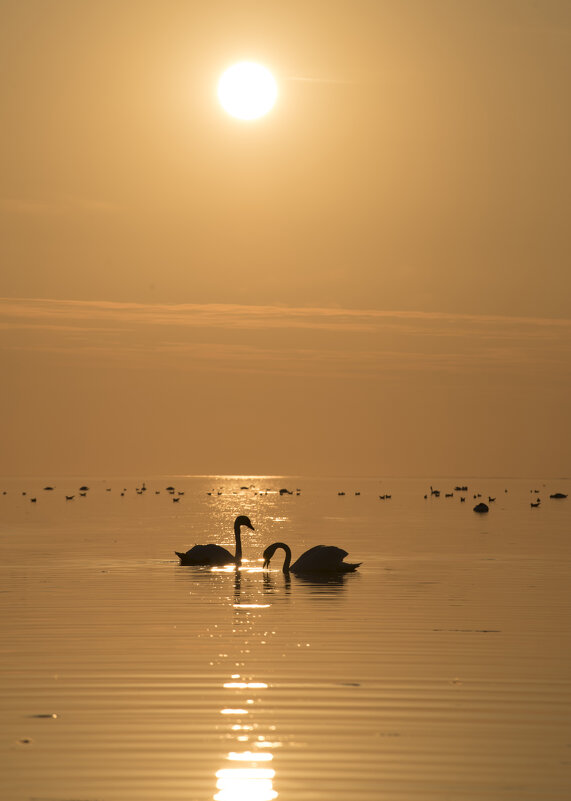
[373,279]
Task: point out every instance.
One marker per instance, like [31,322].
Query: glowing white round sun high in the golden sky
[247,90]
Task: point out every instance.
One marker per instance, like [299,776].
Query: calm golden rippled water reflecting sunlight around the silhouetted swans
[439,671]
